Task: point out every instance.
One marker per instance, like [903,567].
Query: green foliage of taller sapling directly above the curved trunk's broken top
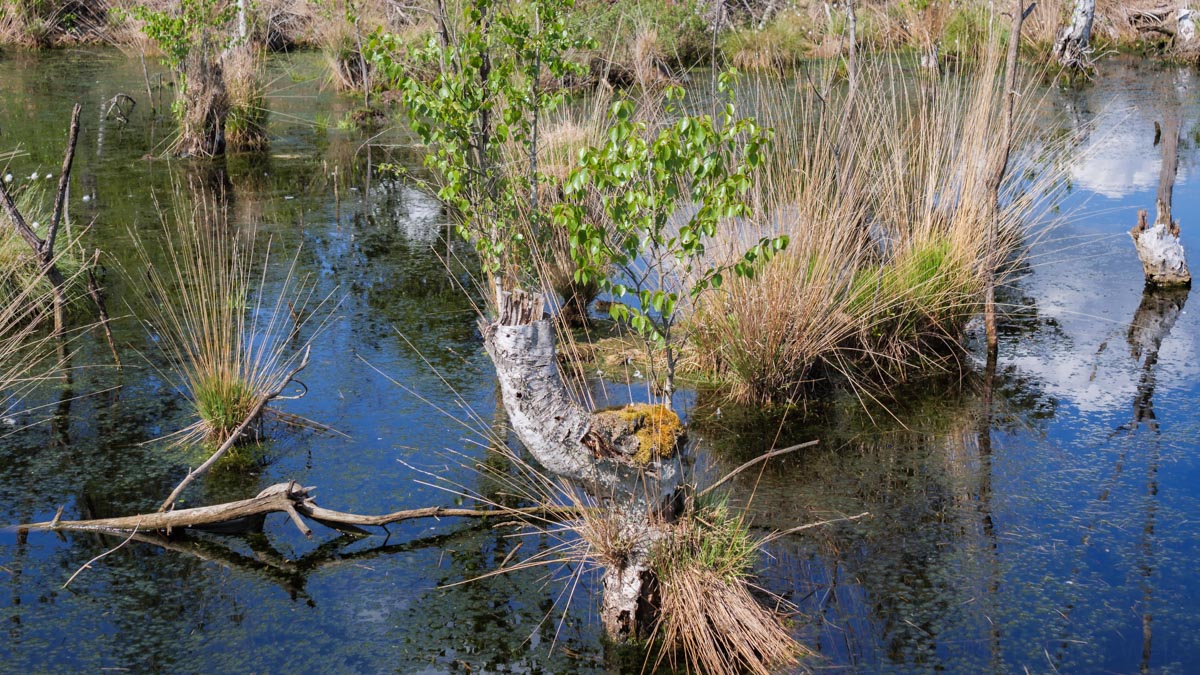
[488,95]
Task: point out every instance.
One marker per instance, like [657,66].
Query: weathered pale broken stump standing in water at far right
[1159,247]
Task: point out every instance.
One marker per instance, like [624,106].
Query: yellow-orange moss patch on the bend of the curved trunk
[639,433]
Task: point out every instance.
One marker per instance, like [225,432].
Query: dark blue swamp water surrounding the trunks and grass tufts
[1053,530]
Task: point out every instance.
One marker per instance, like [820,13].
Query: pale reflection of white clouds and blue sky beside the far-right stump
[1087,277]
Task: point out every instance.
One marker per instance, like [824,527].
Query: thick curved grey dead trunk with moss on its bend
[596,450]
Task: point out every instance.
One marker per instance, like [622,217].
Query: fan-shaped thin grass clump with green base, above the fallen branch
[232,333]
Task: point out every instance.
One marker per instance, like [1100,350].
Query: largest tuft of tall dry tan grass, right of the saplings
[884,194]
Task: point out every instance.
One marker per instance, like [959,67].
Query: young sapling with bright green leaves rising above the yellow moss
[664,198]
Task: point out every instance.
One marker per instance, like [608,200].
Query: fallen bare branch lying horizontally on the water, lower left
[283,498]
